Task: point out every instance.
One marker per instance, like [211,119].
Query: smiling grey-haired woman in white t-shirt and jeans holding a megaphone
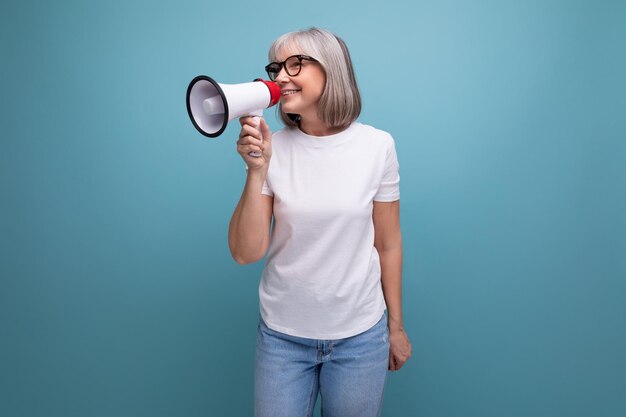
[335,250]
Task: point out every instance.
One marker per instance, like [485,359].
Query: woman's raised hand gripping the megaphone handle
[255,137]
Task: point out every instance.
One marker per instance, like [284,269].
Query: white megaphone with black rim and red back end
[212,105]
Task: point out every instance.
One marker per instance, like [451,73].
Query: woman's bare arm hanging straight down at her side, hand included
[388,243]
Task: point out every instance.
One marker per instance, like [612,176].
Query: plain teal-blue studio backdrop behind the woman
[118,294]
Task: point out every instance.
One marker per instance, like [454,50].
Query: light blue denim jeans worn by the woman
[349,373]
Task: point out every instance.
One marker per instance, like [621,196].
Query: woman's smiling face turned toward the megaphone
[300,94]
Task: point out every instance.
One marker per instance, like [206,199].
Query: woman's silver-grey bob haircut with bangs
[340,103]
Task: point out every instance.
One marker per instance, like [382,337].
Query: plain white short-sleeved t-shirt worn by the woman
[321,279]
